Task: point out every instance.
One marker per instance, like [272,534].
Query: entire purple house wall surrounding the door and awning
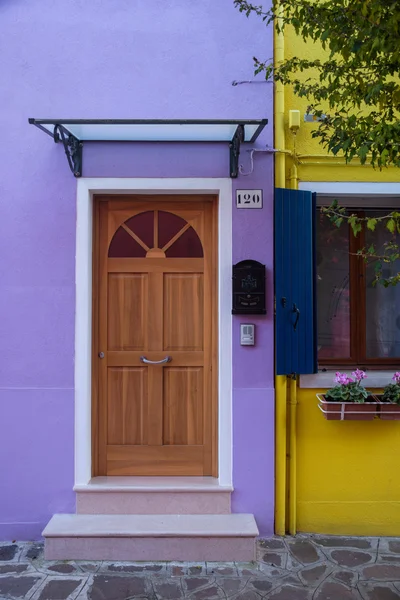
[164,59]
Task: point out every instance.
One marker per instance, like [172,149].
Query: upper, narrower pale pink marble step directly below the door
[153,495]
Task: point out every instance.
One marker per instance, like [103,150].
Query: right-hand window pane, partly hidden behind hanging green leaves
[382,304]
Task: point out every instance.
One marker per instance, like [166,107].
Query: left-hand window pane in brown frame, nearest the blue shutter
[333,298]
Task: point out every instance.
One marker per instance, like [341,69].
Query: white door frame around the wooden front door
[86,189]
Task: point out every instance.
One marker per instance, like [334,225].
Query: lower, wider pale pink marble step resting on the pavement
[229,537]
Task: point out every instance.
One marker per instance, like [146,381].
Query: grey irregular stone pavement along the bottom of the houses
[302,568]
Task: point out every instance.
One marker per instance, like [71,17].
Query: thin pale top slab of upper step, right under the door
[152,484]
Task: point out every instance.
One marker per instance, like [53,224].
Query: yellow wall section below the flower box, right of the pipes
[348,474]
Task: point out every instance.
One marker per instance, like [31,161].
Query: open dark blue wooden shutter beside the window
[295,282]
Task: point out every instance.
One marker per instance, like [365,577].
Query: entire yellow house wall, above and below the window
[344,476]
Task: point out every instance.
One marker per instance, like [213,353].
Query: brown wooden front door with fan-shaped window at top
[154,344]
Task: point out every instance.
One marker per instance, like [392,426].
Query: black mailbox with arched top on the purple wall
[248,288]
